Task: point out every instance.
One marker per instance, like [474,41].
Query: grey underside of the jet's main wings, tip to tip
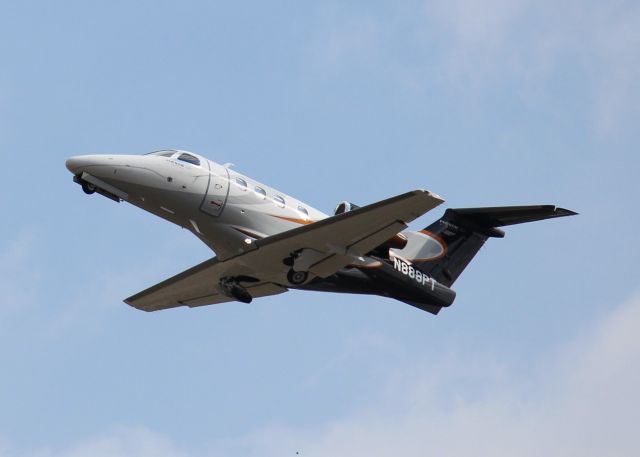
[322,248]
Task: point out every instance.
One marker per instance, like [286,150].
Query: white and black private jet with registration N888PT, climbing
[267,242]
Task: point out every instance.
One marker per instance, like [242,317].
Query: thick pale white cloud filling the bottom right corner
[584,402]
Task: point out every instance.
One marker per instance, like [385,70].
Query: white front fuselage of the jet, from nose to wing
[225,209]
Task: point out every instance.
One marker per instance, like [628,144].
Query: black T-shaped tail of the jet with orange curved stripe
[453,240]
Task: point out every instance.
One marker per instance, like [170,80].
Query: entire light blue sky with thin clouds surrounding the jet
[485,103]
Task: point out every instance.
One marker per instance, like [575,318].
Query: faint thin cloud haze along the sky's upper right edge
[531,49]
